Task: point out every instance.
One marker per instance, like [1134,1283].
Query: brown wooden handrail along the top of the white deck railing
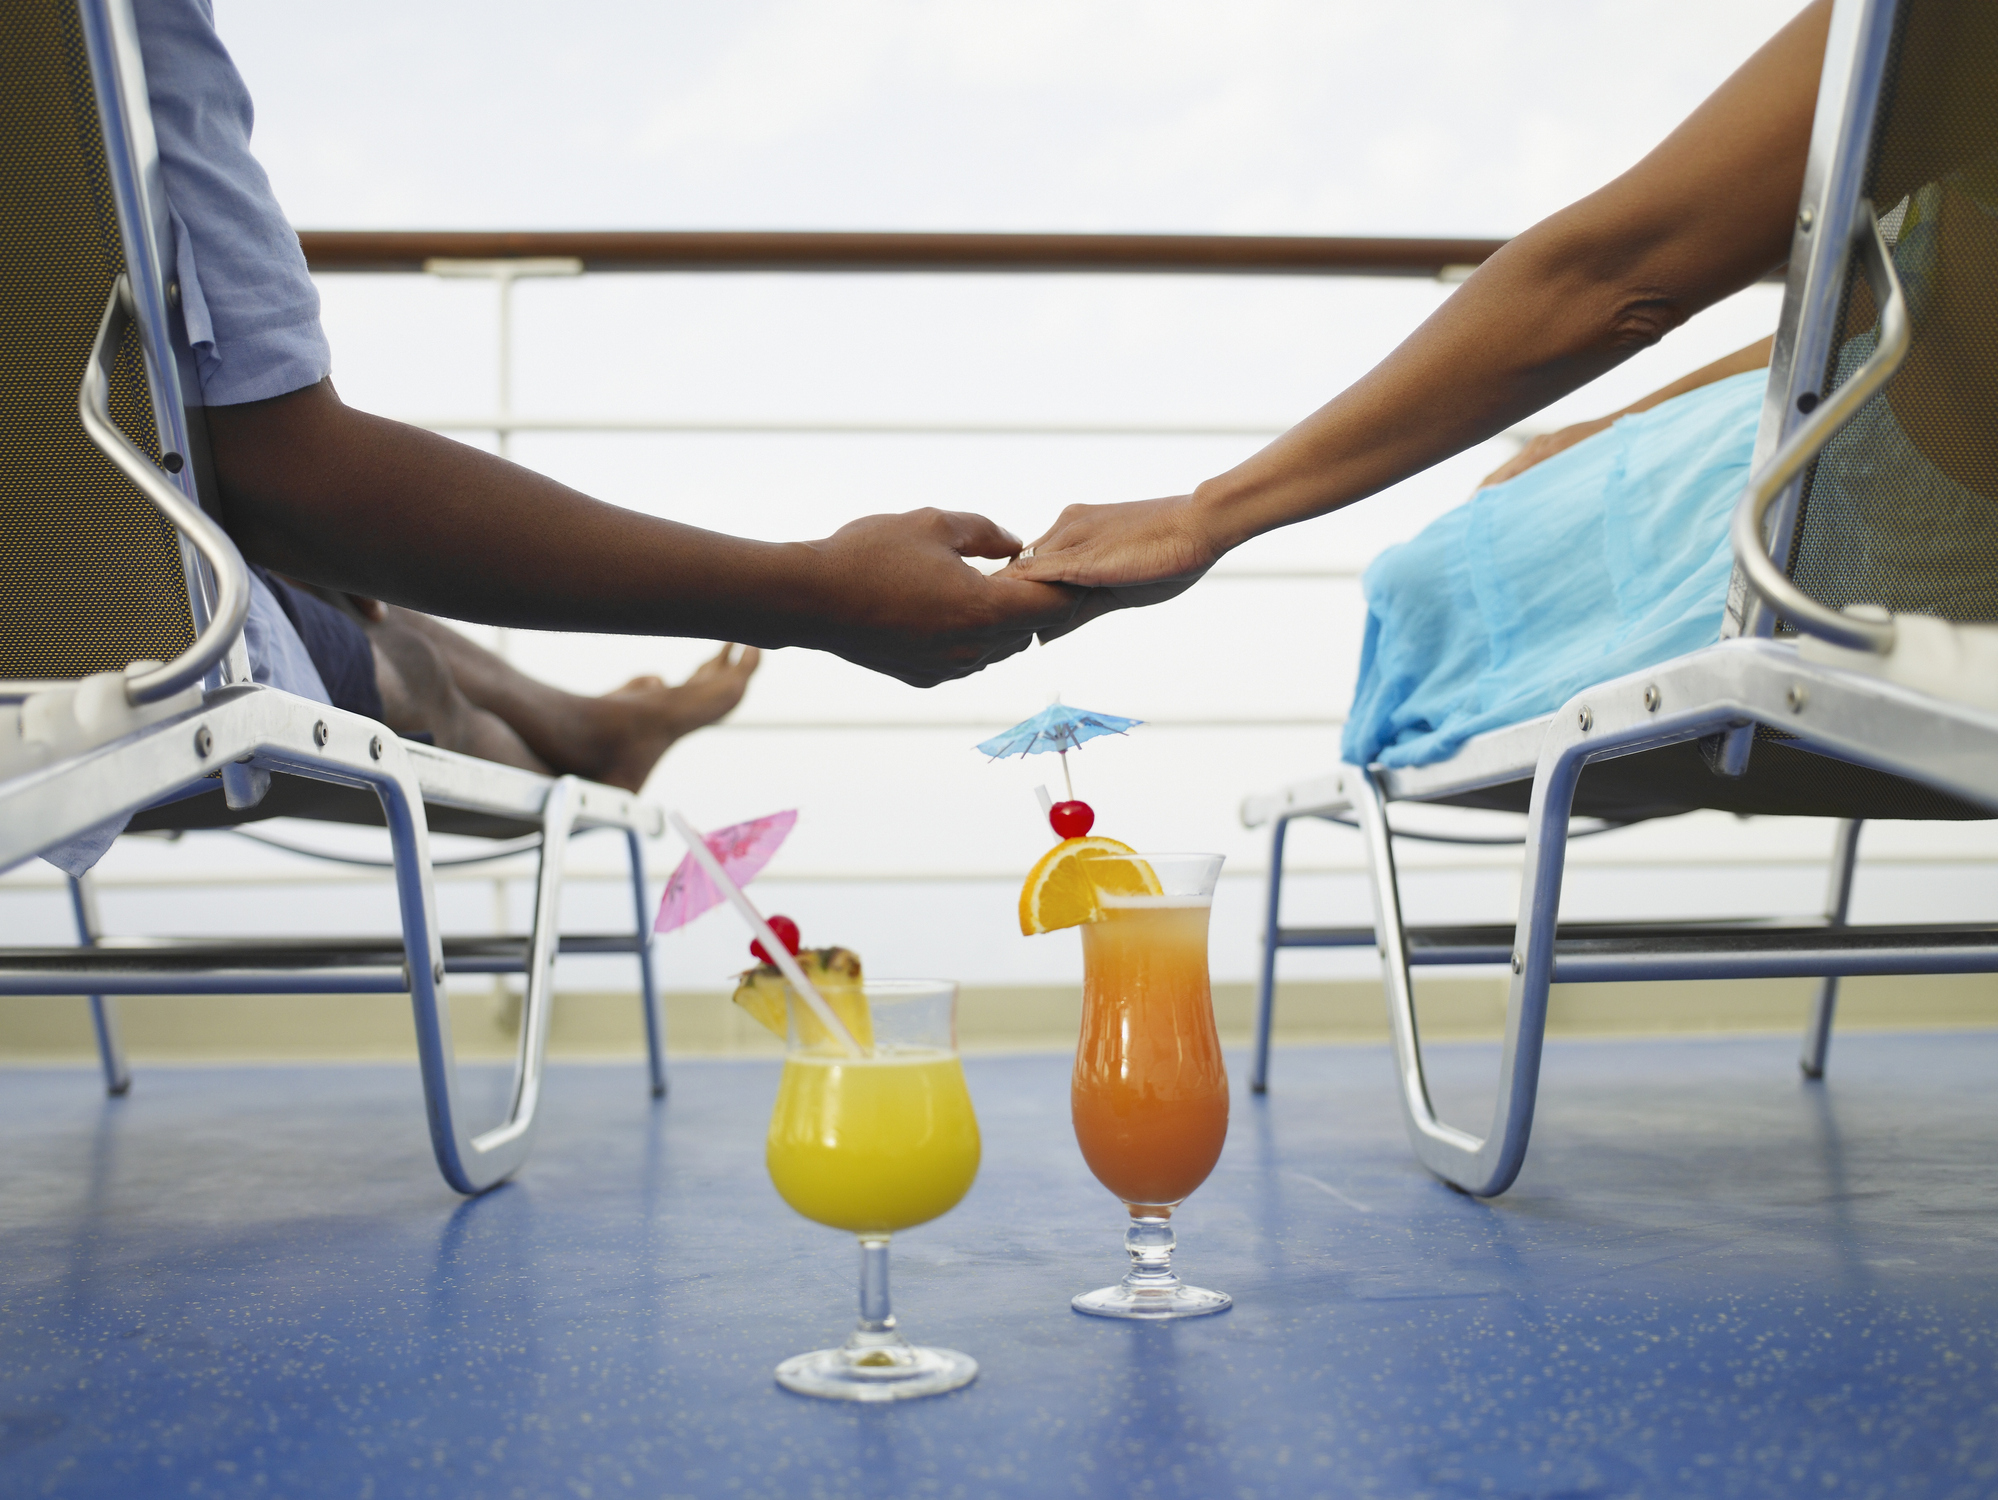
[786,251]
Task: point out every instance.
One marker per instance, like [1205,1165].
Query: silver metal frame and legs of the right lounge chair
[1721,692]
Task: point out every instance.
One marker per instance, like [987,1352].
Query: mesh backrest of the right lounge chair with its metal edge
[1901,508]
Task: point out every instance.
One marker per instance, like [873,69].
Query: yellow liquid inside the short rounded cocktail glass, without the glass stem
[876,1143]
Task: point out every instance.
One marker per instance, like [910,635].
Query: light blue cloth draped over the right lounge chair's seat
[1603,560]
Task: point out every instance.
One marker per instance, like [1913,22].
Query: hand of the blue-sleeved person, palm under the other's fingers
[896,594]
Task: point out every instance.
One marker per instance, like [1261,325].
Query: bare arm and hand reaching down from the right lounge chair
[1701,217]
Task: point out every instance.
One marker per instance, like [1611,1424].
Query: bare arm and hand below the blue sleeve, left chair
[355,502]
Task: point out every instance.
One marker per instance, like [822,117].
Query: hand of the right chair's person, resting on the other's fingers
[1134,554]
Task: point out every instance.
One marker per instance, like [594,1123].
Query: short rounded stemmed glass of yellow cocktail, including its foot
[876,1141]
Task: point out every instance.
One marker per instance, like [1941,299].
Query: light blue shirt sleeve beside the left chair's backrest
[247,297]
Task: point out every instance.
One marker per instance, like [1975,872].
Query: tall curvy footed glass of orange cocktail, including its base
[1150,1094]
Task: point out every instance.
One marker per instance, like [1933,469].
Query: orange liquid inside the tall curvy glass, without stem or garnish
[1150,1094]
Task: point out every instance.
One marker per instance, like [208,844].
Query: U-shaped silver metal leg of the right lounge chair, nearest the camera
[1484,1167]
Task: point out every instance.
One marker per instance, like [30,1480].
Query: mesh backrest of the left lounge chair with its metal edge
[91,574]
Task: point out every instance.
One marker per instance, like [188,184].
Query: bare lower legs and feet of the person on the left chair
[616,738]
